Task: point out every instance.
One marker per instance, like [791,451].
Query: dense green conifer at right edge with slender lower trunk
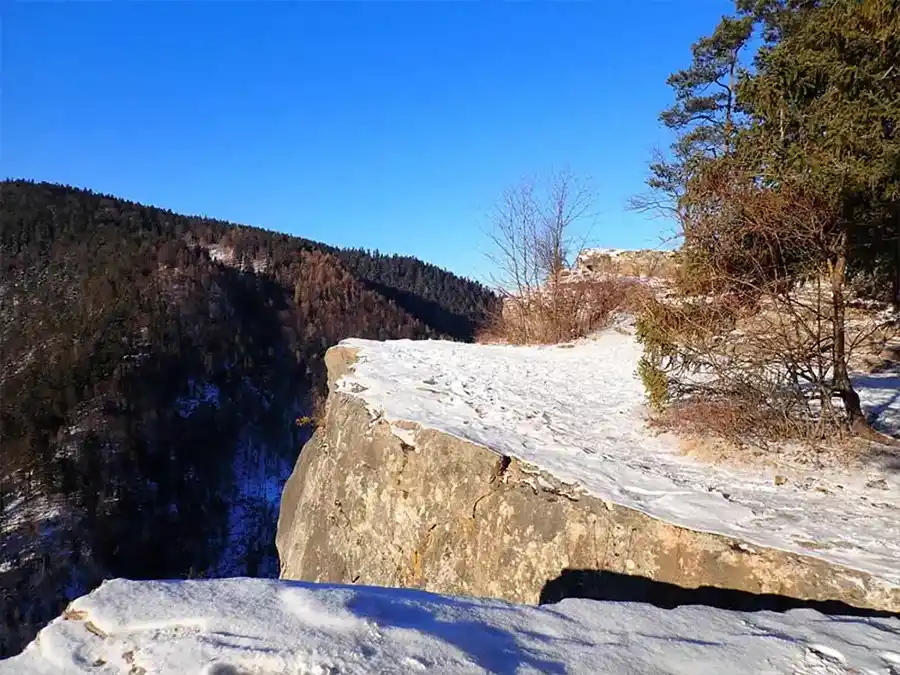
[825,110]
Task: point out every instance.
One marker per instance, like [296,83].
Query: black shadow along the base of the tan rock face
[604,585]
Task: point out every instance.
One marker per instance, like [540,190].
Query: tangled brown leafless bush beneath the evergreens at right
[756,341]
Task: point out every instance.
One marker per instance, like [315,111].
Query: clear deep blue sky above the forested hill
[389,125]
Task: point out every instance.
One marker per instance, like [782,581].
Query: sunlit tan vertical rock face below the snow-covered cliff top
[370,504]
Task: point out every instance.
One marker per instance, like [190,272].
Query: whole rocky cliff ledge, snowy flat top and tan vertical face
[527,474]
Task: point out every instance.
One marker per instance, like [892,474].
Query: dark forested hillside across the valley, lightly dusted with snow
[152,367]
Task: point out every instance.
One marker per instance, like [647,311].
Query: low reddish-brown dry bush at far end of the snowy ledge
[563,312]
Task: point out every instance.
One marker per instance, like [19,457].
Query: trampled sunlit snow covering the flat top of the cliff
[577,412]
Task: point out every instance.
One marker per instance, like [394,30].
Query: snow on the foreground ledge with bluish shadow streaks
[231,626]
